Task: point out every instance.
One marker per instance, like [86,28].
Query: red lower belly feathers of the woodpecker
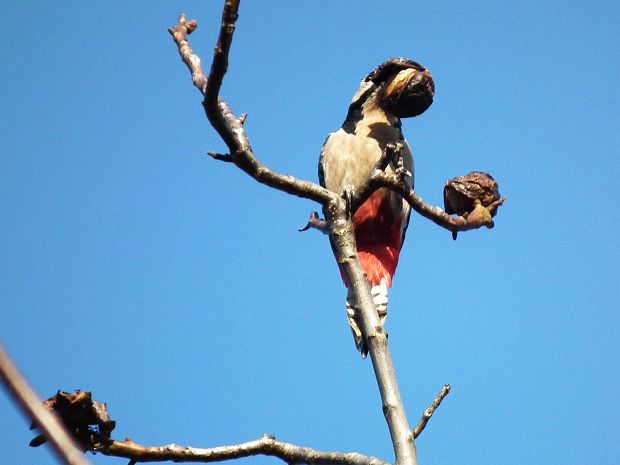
[378,236]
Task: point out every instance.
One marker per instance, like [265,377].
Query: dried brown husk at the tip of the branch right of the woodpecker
[461,193]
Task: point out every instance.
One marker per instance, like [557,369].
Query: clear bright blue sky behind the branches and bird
[180,292]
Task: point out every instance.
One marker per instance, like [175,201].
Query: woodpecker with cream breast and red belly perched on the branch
[398,88]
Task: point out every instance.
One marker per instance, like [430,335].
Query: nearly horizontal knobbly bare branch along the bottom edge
[266,445]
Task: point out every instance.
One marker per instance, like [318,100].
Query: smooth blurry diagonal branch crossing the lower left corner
[63,444]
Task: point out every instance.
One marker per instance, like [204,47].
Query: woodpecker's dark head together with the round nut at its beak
[406,88]
